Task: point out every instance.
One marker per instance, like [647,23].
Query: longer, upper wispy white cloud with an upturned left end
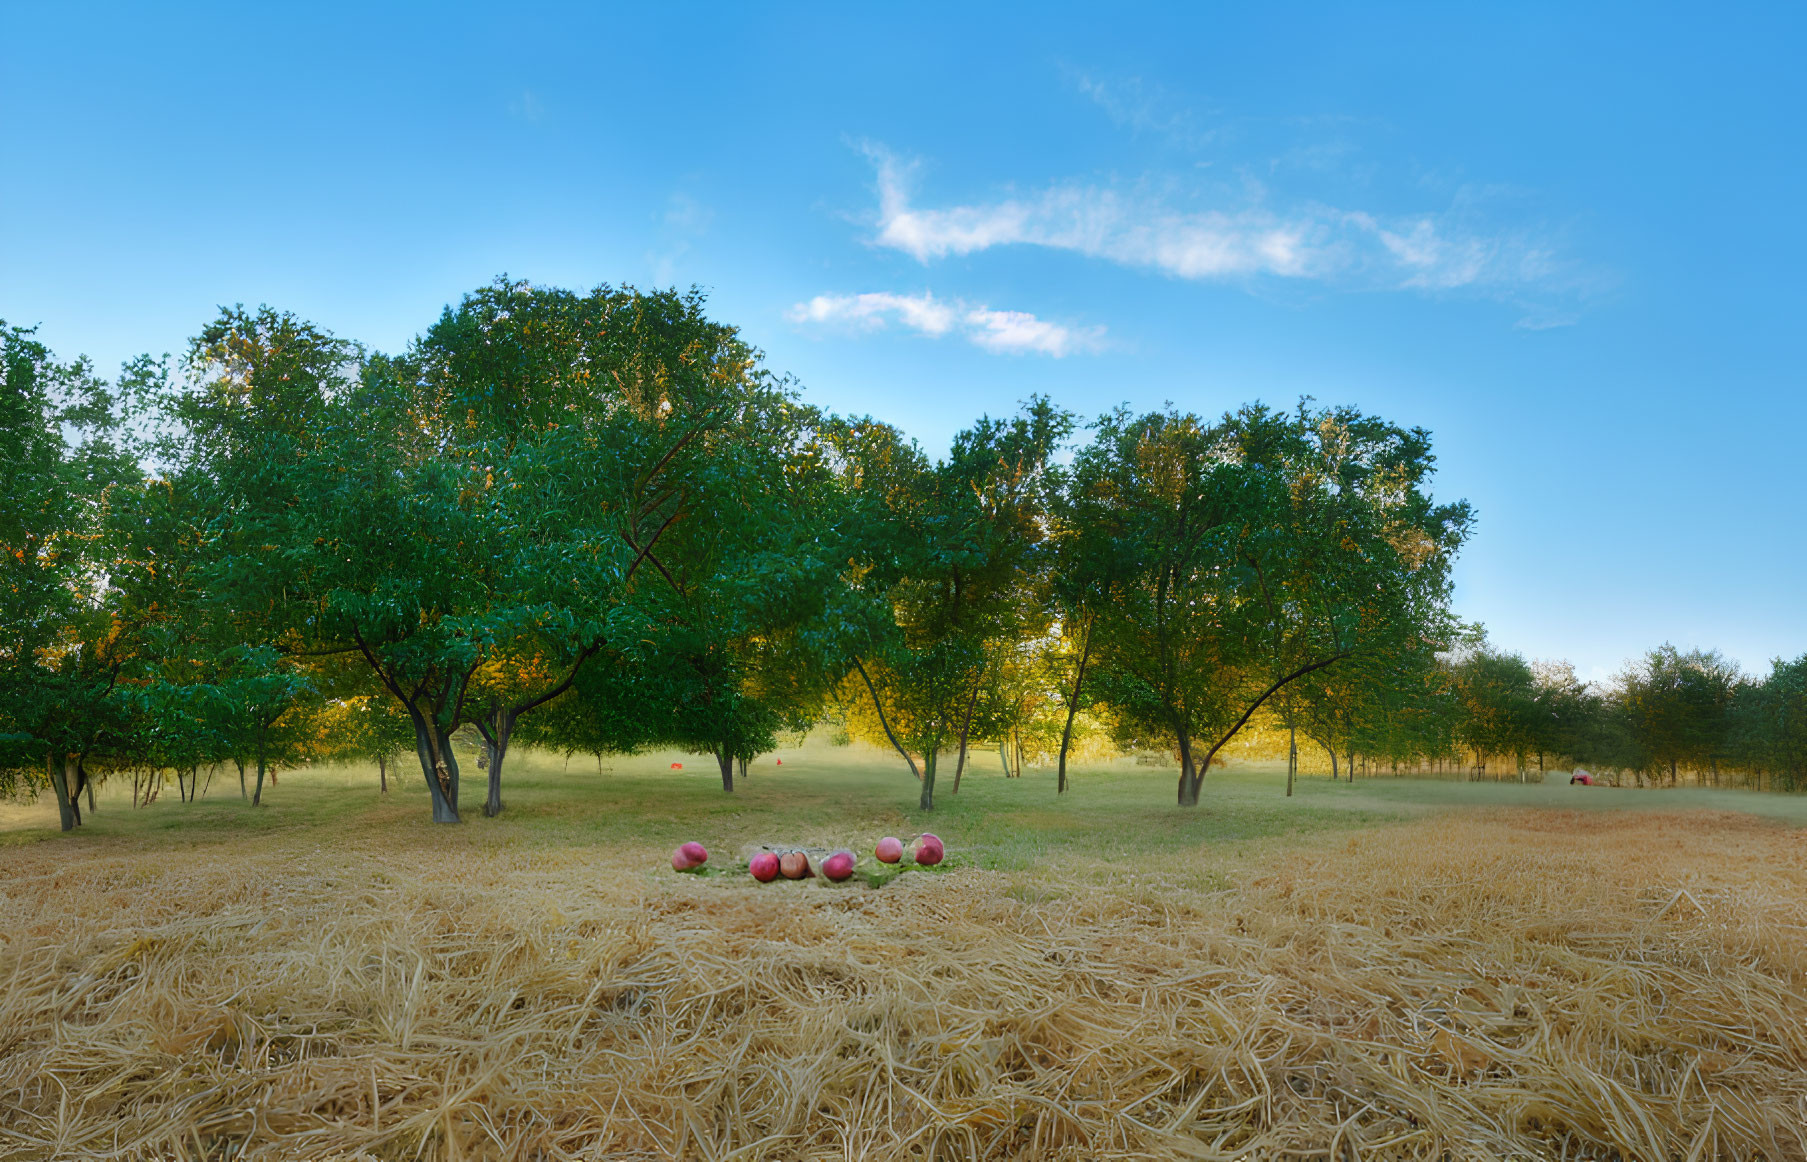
[1163,229]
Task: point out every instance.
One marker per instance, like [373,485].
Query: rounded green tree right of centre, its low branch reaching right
[1257,552]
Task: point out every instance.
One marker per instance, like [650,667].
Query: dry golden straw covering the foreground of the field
[1477,988]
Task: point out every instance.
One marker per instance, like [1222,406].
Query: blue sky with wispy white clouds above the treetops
[1568,239]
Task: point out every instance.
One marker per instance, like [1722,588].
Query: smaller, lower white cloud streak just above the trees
[998,332]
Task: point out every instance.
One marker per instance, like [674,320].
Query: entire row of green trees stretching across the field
[597,523]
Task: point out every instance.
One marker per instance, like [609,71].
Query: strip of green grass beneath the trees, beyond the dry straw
[821,796]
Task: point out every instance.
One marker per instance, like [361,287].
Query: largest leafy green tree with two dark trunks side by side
[471,520]
